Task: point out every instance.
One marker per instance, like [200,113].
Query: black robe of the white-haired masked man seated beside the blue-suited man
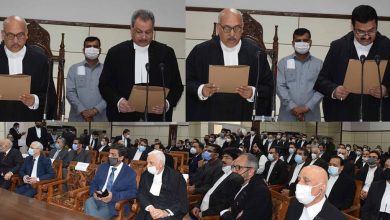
[173,194]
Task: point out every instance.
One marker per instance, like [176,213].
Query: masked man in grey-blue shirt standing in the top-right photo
[297,74]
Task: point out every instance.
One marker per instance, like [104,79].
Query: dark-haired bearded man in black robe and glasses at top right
[339,104]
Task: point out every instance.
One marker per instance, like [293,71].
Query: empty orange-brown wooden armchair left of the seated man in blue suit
[78,188]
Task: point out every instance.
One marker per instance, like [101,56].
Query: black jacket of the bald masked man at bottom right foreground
[328,212]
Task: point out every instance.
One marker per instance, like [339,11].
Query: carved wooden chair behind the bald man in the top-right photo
[253,30]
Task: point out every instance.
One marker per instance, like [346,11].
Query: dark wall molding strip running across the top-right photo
[279,13]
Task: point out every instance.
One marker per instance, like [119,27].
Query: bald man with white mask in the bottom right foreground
[310,192]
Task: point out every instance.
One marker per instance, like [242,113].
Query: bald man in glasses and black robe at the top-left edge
[18,58]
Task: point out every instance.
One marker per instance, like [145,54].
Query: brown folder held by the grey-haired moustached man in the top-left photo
[137,97]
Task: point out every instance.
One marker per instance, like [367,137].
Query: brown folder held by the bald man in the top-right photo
[228,78]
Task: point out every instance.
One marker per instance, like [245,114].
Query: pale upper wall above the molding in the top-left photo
[168,13]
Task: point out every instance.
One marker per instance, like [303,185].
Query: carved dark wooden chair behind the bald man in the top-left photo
[39,38]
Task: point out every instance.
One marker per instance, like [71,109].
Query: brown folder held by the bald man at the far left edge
[13,86]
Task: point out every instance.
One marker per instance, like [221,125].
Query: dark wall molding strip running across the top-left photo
[98,25]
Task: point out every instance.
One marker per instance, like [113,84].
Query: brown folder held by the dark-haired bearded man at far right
[352,80]
